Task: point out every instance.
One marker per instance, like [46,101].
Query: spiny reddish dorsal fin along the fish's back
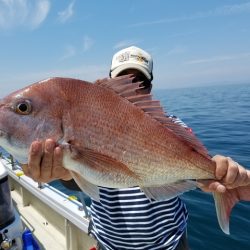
[124,86]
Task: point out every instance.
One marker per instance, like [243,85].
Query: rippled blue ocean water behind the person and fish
[220,117]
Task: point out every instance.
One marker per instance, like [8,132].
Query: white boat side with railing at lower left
[56,221]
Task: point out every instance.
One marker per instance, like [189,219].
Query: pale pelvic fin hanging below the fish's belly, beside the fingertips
[90,189]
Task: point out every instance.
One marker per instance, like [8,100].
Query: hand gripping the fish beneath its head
[45,162]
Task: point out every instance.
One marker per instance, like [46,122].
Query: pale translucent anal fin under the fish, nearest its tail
[169,191]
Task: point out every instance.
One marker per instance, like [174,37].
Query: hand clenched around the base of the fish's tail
[229,175]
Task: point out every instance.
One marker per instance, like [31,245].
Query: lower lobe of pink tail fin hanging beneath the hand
[224,202]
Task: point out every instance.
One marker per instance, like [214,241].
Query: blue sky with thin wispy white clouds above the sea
[192,42]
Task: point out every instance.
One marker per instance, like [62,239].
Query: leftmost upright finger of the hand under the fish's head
[34,160]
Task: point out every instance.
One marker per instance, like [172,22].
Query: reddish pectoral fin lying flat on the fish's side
[102,163]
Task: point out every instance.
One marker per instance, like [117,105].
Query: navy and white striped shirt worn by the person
[126,219]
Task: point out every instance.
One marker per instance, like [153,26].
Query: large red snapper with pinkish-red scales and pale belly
[110,137]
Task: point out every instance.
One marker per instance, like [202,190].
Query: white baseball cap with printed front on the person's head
[132,58]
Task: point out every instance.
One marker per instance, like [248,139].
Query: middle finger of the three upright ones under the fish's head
[47,161]
